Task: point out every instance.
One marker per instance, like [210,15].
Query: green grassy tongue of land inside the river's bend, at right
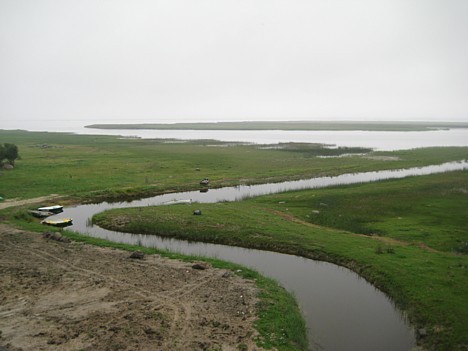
[414,247]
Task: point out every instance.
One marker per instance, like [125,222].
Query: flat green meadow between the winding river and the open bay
[87,167]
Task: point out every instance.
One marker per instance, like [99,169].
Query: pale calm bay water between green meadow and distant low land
[387,141]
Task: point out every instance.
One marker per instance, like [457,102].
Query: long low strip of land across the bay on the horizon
[291,125]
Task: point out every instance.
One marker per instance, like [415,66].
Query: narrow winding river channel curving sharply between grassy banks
[342,310]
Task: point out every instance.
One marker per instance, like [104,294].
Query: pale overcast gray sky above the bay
[213,60]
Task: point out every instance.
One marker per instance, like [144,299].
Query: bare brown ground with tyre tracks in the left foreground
[70,296]
